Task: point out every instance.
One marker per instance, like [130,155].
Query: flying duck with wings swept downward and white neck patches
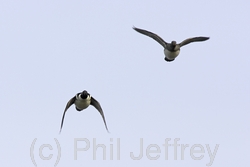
[82,101]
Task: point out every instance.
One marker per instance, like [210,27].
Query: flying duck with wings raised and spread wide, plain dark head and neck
[171,50]
